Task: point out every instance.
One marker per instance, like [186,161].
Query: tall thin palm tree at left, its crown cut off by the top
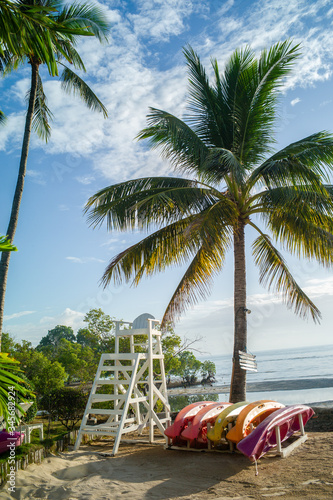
[56,32]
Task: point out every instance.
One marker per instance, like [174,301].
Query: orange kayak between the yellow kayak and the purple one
[251,416]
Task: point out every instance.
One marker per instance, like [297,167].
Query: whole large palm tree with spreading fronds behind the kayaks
[225,143]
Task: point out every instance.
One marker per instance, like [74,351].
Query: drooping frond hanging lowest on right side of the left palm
[73,84]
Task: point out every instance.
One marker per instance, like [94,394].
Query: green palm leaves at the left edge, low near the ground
[13,389]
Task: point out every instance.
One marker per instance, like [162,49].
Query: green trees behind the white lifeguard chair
[63,358]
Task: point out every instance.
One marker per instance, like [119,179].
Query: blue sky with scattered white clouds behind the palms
[54,277]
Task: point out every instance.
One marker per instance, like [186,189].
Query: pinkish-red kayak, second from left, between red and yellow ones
[197,429]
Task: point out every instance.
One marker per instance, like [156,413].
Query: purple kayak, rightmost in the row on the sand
[263,438]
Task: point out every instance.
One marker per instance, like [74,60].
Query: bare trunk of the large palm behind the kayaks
[238,378]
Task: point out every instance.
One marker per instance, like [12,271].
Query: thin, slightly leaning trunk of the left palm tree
[5,256]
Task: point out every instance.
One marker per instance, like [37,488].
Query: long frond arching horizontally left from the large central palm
[151,200]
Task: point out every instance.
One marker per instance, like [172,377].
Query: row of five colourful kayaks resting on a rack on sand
[255,428]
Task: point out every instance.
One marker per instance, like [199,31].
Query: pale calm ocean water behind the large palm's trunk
[310,363]
